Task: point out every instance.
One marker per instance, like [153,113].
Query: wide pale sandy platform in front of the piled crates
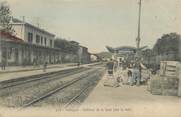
[131,101]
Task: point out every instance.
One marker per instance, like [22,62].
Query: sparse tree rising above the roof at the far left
[5,18]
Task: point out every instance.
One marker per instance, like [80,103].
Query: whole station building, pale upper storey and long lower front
[28,45]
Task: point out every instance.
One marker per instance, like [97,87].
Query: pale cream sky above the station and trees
[97,23]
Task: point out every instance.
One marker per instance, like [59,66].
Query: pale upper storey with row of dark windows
[32,34]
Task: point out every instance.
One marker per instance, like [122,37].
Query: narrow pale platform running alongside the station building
[19,72]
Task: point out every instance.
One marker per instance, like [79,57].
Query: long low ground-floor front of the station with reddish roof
[17,52]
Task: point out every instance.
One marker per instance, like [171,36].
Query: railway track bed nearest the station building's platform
[28,91]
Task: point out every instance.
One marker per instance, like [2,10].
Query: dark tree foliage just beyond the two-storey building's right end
[67,46]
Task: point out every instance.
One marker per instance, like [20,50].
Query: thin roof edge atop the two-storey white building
[16,21]
